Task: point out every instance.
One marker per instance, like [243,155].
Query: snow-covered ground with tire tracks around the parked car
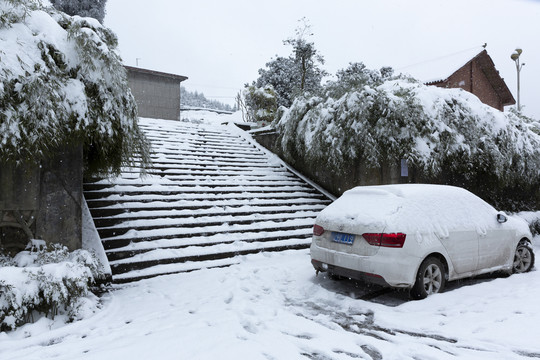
[271,306]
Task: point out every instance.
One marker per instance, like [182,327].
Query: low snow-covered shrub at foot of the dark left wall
[46,281]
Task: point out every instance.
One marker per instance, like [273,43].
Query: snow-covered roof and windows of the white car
[410,207]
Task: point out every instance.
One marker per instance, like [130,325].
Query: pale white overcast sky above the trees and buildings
[219,45]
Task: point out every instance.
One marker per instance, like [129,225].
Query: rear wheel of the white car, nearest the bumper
[430,279]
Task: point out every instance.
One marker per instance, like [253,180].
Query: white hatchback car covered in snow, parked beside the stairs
[417,237]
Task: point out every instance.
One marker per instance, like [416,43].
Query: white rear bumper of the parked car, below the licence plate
[400,272]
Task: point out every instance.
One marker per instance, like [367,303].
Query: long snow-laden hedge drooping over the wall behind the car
[447,135]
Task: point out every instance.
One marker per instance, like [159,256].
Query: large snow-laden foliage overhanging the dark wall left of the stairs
[62,82]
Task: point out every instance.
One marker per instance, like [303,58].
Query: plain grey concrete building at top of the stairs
[157,93]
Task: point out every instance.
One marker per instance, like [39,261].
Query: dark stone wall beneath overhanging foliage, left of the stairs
[42,201]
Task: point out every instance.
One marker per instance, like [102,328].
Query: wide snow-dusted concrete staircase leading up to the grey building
[210,196]
